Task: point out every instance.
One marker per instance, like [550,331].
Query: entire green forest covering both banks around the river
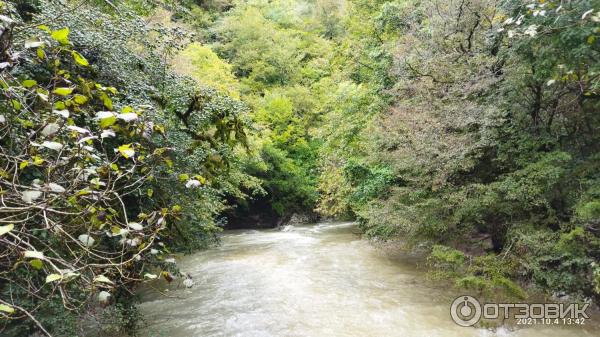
[135,131]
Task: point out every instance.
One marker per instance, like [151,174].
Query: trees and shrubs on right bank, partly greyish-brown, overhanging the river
[489,144]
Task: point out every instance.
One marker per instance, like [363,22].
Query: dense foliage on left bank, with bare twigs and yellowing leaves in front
[110,164]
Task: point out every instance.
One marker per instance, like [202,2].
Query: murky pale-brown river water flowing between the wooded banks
[318,280]
